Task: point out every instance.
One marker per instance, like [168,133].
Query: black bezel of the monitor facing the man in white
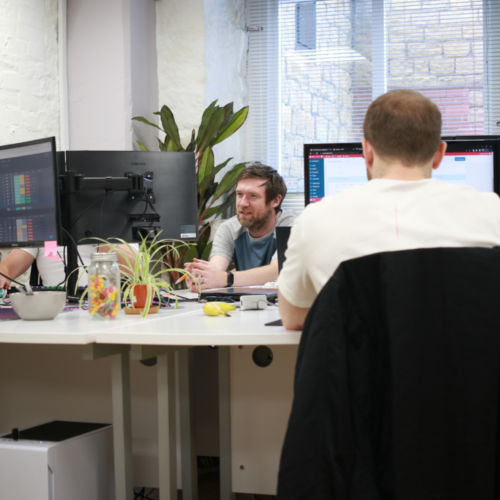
[454,145]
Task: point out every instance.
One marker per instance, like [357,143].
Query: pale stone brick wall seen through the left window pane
[316,98]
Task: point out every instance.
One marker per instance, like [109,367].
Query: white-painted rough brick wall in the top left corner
[29,91]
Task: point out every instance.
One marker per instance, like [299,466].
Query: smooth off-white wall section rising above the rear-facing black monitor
[99,85]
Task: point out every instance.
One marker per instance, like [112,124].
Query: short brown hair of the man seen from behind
[403,125]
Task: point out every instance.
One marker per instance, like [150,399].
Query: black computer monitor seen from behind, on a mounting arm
[102,214]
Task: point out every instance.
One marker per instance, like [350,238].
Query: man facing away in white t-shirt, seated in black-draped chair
[401,208]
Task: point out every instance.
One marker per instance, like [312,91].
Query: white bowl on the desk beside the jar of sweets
[39,306]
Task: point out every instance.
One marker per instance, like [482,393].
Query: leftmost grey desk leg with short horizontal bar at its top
[122,430]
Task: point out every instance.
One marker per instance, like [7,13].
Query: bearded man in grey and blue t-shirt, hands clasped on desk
[247,239]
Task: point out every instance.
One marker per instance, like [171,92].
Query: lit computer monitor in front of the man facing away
[331,168]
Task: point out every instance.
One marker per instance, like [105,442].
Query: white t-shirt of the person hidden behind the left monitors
[52,272]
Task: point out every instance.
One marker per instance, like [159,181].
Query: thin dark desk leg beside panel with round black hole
[225,426]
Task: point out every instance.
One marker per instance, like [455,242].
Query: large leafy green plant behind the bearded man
[217,124]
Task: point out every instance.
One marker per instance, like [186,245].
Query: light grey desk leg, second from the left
[166,428]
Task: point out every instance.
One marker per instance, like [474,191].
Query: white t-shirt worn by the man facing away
[383,215]
